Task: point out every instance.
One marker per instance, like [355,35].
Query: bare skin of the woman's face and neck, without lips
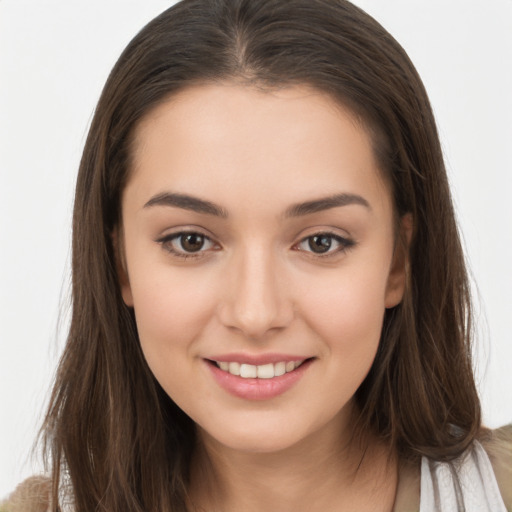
[257,286]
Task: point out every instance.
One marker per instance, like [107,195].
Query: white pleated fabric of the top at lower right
[466,484]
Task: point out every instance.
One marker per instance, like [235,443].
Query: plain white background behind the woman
[54,59]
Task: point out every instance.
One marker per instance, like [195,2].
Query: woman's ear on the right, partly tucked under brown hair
[398,274]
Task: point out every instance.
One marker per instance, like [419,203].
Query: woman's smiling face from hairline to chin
[258,255]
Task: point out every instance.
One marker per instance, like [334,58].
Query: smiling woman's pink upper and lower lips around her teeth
[258,389]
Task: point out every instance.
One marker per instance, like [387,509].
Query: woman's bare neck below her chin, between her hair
[323,472]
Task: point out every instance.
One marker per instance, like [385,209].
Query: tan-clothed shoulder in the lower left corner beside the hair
[32,495]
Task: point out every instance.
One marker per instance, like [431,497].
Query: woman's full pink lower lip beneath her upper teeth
[258,389]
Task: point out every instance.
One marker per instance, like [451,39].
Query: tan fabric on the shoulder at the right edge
[498,445]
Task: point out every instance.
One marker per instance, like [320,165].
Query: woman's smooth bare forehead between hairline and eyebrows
[262,145]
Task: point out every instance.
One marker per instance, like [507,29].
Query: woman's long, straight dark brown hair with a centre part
[113,435]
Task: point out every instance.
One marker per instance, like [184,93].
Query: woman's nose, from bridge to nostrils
[256,299]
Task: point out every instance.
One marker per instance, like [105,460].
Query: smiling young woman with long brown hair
[270,305]
